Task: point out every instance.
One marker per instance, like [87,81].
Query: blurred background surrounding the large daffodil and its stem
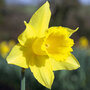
[67,13]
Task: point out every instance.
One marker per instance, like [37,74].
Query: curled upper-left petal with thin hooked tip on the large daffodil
[27,36]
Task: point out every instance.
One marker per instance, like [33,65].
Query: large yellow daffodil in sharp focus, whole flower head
[44,49]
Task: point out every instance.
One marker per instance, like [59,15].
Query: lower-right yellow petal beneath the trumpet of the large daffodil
[70,64]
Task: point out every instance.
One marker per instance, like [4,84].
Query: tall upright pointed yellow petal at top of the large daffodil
[40,20]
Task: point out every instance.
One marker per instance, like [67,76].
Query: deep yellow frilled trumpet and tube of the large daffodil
[56,44]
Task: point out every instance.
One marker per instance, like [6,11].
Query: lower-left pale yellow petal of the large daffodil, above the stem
[17,57]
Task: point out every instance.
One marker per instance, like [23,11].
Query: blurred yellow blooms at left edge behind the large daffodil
[5,47]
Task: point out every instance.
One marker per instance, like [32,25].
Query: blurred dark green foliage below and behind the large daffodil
[64,80]
